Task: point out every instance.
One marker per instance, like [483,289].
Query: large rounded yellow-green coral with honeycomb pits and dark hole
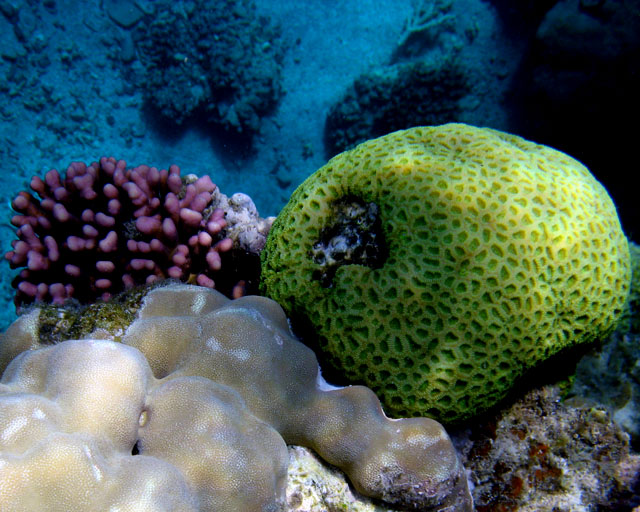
[437,264]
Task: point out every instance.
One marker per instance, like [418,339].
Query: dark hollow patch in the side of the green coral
[354,237]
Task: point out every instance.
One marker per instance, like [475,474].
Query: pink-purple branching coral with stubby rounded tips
[103,228]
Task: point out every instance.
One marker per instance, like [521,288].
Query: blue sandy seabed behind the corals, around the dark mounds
[66,93]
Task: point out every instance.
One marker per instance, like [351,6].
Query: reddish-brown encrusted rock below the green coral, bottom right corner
[545,455]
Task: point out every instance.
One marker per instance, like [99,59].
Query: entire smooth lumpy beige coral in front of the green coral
[194,405]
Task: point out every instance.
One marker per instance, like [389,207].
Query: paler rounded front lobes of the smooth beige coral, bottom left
[72,413]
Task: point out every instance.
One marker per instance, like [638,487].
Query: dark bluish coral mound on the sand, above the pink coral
[219,59]
